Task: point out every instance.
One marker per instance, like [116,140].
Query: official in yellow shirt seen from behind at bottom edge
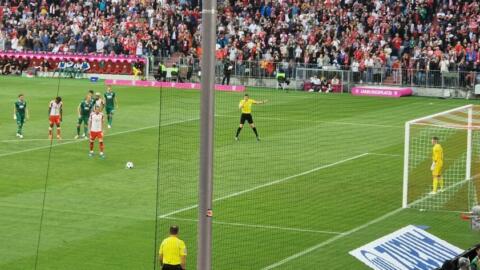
[173,252]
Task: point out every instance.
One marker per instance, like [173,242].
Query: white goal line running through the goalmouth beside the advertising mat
[354,230]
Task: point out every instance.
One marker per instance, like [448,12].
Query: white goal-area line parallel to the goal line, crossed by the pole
[265,185]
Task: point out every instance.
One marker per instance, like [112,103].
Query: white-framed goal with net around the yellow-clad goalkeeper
[458,131]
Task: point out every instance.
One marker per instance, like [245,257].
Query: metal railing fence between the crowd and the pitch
[256,73]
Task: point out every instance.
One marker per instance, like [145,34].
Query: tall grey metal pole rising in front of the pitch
[205,190]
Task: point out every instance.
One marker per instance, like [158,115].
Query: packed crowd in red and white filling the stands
[358,35]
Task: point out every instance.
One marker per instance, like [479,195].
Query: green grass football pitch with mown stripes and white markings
[325,178]
